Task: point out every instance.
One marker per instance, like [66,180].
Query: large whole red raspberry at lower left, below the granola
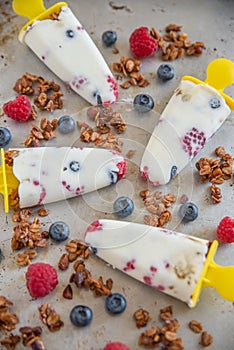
[41,279]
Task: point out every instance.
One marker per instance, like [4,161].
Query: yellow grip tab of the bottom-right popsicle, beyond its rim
[222,279]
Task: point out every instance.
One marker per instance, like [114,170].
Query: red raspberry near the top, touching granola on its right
[142,44]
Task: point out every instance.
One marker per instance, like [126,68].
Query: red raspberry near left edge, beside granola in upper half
[19,109]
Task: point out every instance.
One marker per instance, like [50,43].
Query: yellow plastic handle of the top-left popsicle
[34,10]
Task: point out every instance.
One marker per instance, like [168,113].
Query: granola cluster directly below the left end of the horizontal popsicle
[27,233]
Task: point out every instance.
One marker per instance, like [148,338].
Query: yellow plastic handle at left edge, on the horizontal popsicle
[8,181]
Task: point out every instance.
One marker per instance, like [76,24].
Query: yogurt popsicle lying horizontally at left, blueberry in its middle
[49,174]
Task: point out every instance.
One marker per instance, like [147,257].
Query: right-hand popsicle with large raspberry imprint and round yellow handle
[192,116]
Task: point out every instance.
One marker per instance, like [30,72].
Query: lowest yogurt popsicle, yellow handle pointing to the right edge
[176,264]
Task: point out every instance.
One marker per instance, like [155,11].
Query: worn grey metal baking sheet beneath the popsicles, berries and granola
[208,21]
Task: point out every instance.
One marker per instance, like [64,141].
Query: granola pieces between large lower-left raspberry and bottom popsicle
[81,277]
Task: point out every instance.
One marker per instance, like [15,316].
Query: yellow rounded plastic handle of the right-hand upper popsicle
[219,75]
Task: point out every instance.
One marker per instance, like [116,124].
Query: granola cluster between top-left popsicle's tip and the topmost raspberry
[129,68]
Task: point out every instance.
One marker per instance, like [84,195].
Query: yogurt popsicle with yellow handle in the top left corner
[59,40]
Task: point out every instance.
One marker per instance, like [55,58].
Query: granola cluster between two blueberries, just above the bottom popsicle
[157,205]
